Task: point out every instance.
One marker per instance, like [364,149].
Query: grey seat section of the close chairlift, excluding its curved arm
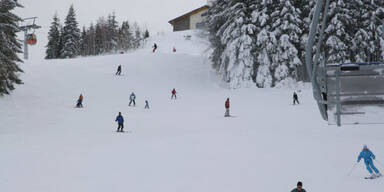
[355,93]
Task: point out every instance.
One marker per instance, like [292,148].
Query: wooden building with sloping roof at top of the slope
[191,20]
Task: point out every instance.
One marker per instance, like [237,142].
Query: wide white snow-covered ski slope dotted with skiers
[185,145]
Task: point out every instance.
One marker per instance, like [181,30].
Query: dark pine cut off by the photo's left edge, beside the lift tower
[9,46]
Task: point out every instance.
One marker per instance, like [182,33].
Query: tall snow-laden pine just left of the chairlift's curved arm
[287,29]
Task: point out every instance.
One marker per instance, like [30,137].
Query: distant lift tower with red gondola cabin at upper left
[29,38]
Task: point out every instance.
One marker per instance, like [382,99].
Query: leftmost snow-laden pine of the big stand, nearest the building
[237,36]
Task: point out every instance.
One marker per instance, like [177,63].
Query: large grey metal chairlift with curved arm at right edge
[342,90]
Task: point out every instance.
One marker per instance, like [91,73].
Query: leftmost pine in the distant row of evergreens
[53,46]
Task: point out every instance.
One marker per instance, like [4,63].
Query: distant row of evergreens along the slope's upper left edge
[106,36]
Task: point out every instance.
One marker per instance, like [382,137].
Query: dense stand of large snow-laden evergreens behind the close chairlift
[263,42]
